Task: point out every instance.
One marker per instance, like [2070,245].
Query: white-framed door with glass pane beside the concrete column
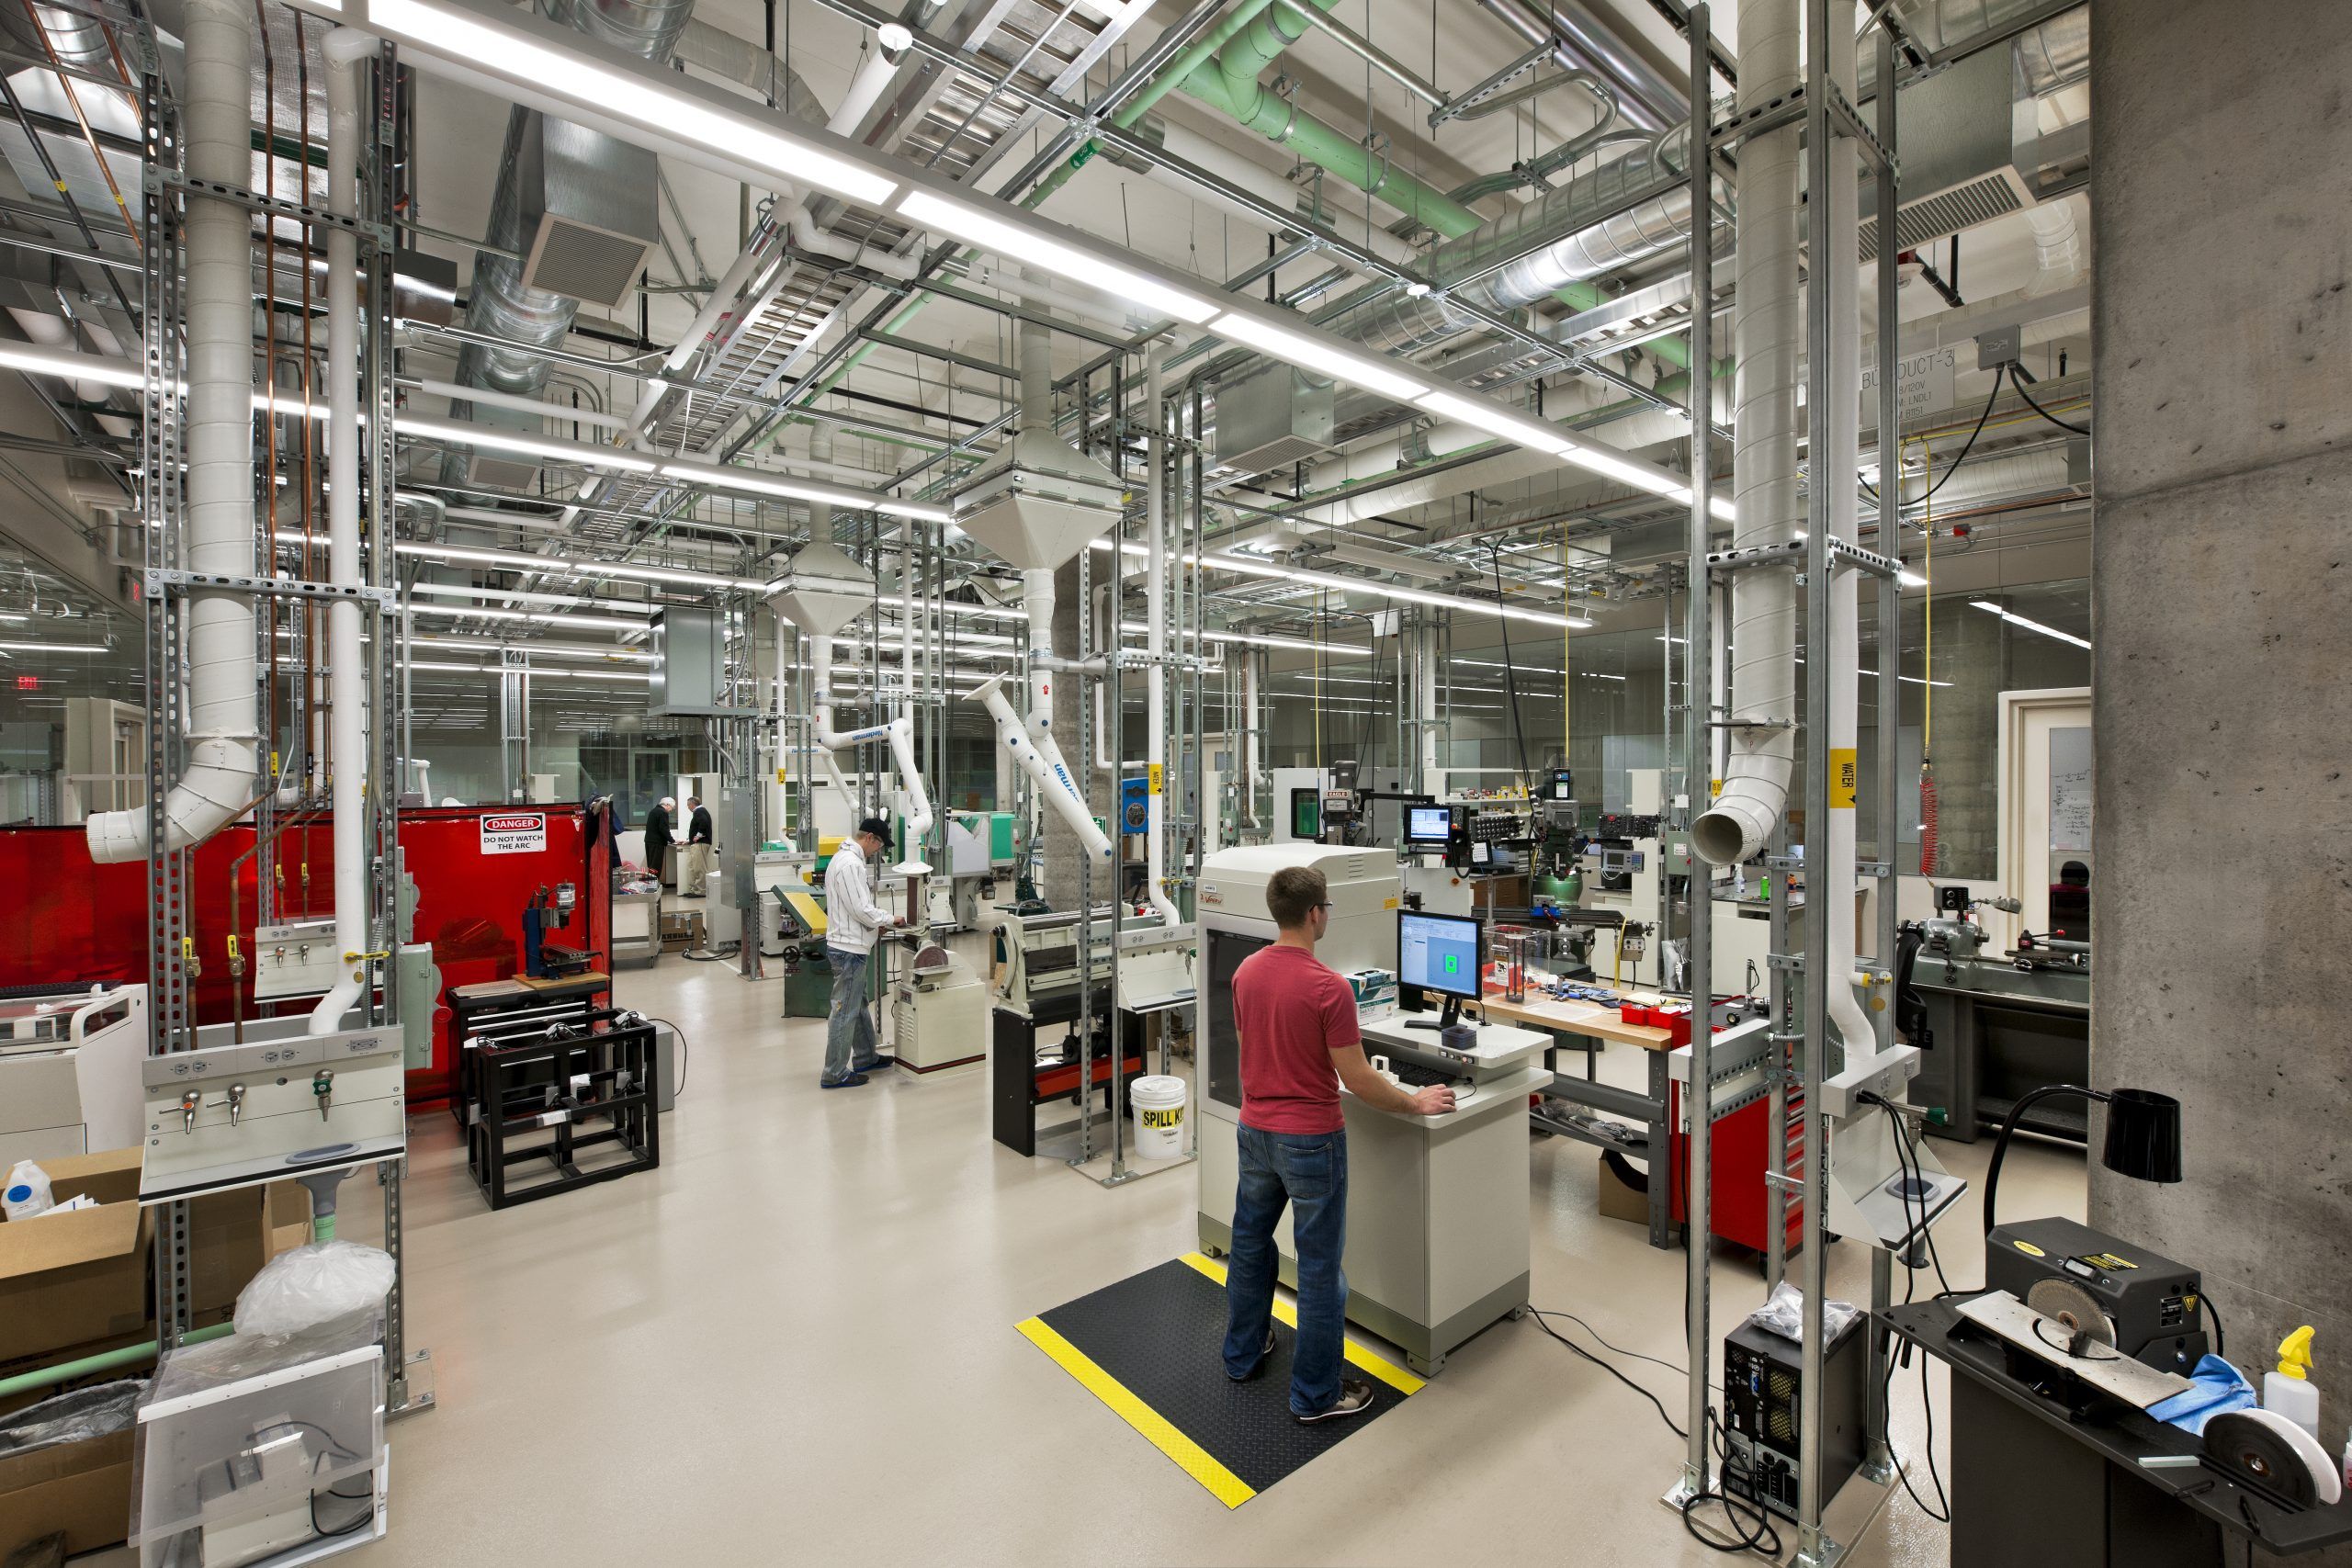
[2047,805]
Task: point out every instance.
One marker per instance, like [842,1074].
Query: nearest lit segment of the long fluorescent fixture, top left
[479,43]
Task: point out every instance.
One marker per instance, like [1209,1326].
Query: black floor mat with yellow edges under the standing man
[1151,1351]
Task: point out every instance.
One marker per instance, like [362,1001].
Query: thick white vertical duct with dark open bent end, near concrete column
[1770,342]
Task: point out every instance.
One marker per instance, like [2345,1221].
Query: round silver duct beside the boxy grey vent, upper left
[502,302]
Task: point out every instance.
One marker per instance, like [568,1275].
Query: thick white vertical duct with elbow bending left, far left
[225,721]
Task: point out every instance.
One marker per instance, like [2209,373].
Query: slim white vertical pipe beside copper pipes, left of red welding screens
[347,55]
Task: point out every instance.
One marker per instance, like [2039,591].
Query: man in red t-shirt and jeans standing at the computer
[1299,1045]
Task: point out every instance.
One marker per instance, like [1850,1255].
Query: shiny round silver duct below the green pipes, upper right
[1561,239]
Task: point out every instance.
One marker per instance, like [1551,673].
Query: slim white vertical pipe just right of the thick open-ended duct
[1840,436]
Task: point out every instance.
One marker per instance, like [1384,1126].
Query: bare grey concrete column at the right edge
[2221,156]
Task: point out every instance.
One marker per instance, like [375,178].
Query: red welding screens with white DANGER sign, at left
[476,869]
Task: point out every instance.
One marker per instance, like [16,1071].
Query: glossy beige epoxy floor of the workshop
[794,1343]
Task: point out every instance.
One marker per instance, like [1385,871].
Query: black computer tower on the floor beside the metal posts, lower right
[1763,1391]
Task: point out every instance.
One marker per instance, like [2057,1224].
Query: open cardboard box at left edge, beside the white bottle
[72,1278]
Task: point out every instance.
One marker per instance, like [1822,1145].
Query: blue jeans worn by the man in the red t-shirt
[1311,1174]
